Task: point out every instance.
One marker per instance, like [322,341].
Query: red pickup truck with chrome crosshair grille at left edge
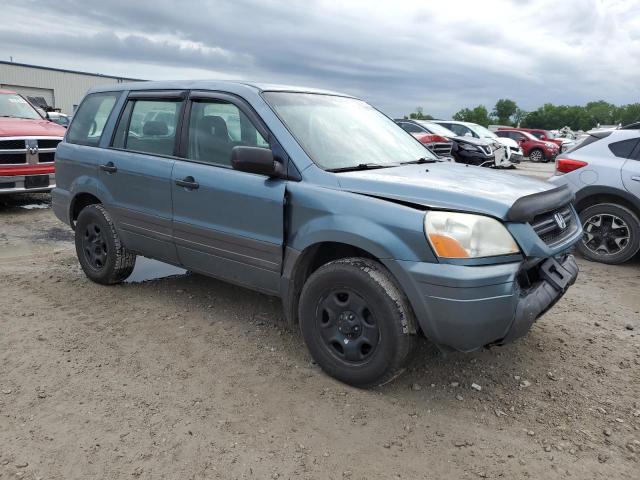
[27,146]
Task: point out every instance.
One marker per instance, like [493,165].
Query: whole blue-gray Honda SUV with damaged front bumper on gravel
[320,199]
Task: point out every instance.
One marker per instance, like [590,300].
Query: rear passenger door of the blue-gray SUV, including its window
[137,176]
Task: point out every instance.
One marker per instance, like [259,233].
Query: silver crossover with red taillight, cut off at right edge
[604,173]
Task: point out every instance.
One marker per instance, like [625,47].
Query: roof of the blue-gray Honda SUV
[224,85]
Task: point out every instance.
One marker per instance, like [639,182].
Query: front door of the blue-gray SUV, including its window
[226,223]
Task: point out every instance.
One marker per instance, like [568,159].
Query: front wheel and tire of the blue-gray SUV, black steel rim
[357,324]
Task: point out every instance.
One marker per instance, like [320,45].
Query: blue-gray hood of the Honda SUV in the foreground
[444,185]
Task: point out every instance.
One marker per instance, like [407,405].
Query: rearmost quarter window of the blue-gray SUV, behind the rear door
[90,118]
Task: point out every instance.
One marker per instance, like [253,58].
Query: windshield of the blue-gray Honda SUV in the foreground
[339,133]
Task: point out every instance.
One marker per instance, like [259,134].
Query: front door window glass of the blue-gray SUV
[215,127]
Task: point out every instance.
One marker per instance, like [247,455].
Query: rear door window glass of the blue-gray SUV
[148,126]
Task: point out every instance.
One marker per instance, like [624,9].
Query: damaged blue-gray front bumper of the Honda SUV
[468,307]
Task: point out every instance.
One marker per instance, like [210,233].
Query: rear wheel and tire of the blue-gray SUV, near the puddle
[100,252]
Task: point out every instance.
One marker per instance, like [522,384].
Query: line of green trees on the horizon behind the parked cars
[548,116]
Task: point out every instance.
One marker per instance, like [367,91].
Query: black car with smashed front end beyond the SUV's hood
[469,150]
